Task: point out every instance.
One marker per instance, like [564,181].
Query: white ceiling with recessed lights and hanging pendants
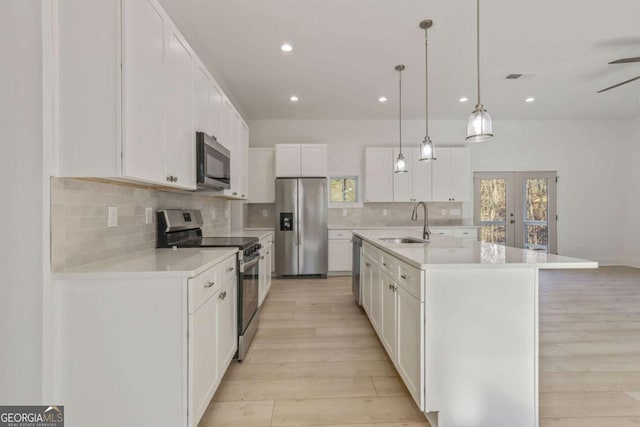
[345,52]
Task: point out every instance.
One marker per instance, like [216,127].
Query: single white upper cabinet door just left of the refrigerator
[262,175]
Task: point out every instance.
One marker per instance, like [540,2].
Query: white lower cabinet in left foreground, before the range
[155,346]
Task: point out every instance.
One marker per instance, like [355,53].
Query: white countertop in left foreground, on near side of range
[184,262]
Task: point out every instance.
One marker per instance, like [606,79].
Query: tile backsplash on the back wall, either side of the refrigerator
[261,215]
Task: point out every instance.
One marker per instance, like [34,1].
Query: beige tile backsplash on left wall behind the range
[79,232]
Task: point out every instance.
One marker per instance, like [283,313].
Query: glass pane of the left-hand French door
[493,210]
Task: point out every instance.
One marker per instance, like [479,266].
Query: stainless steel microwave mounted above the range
[213,163]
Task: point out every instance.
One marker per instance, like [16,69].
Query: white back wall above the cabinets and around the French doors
[586,154]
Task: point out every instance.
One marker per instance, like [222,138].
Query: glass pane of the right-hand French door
[536,213]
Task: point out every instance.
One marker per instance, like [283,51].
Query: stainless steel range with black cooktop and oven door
[183,229]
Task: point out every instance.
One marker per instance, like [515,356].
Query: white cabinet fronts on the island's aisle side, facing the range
[389,299]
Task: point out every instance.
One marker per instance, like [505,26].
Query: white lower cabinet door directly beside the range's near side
[227,325]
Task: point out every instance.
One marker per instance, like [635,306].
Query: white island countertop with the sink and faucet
[445,252]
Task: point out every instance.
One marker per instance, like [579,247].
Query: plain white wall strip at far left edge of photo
[21,215]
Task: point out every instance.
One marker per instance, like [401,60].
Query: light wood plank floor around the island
[316,360]
